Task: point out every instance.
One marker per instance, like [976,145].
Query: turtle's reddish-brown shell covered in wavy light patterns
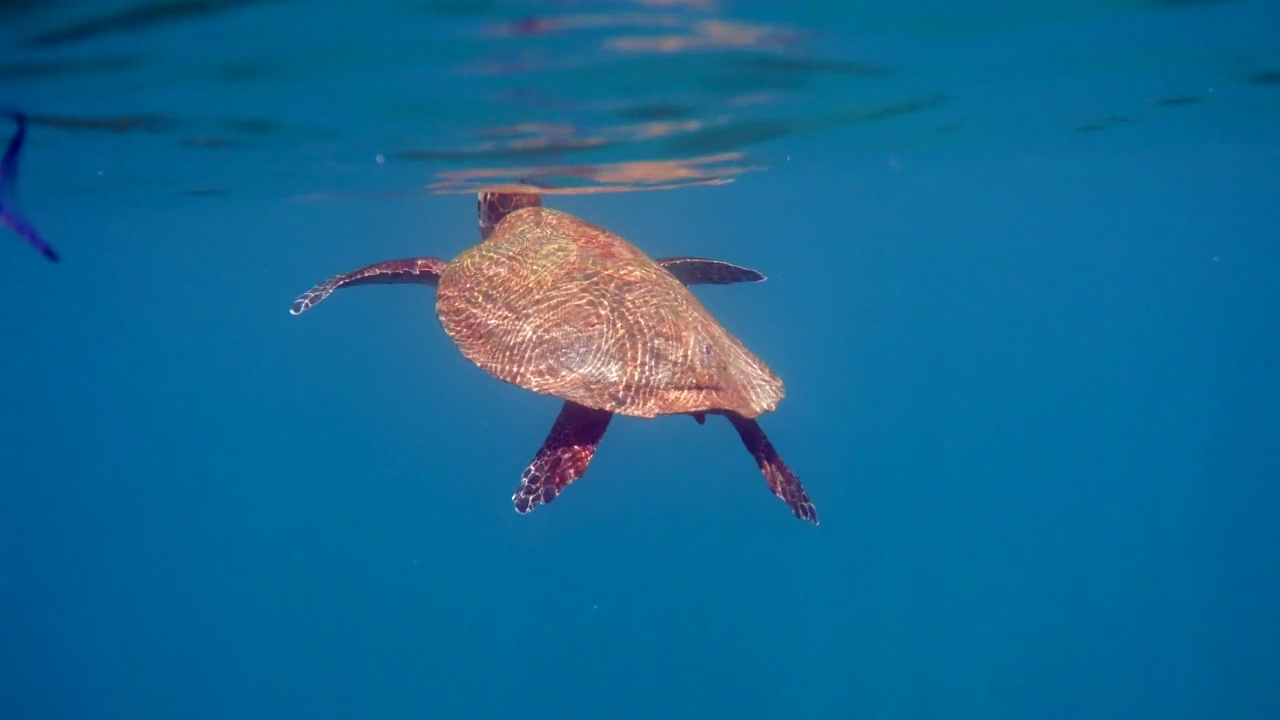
[560,307]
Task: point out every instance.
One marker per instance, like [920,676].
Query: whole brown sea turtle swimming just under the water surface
[560,307]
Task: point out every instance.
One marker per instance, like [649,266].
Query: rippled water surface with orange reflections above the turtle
[284,99]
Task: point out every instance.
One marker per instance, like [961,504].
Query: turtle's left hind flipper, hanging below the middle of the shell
[564,458]
